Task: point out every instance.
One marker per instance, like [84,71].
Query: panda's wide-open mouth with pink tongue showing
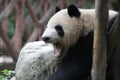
[58,50]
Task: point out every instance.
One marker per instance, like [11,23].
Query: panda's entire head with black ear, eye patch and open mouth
[63,30]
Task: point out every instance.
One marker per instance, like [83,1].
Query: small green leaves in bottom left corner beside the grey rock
[6,74]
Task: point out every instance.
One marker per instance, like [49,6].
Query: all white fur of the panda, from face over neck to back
[73,27]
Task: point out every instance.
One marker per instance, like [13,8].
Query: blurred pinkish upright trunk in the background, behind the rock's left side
[19,25]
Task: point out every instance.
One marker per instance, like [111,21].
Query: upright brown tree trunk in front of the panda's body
[100,41]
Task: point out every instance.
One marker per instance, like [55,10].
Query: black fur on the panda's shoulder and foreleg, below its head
[77,64]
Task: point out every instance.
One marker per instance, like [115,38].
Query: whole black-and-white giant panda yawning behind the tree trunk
[71,32]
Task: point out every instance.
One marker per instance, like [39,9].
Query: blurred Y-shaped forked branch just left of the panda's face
[39,25]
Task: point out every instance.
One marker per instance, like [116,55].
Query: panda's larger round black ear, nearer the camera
[73,11]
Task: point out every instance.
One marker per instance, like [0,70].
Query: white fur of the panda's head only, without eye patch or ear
[69,25]
